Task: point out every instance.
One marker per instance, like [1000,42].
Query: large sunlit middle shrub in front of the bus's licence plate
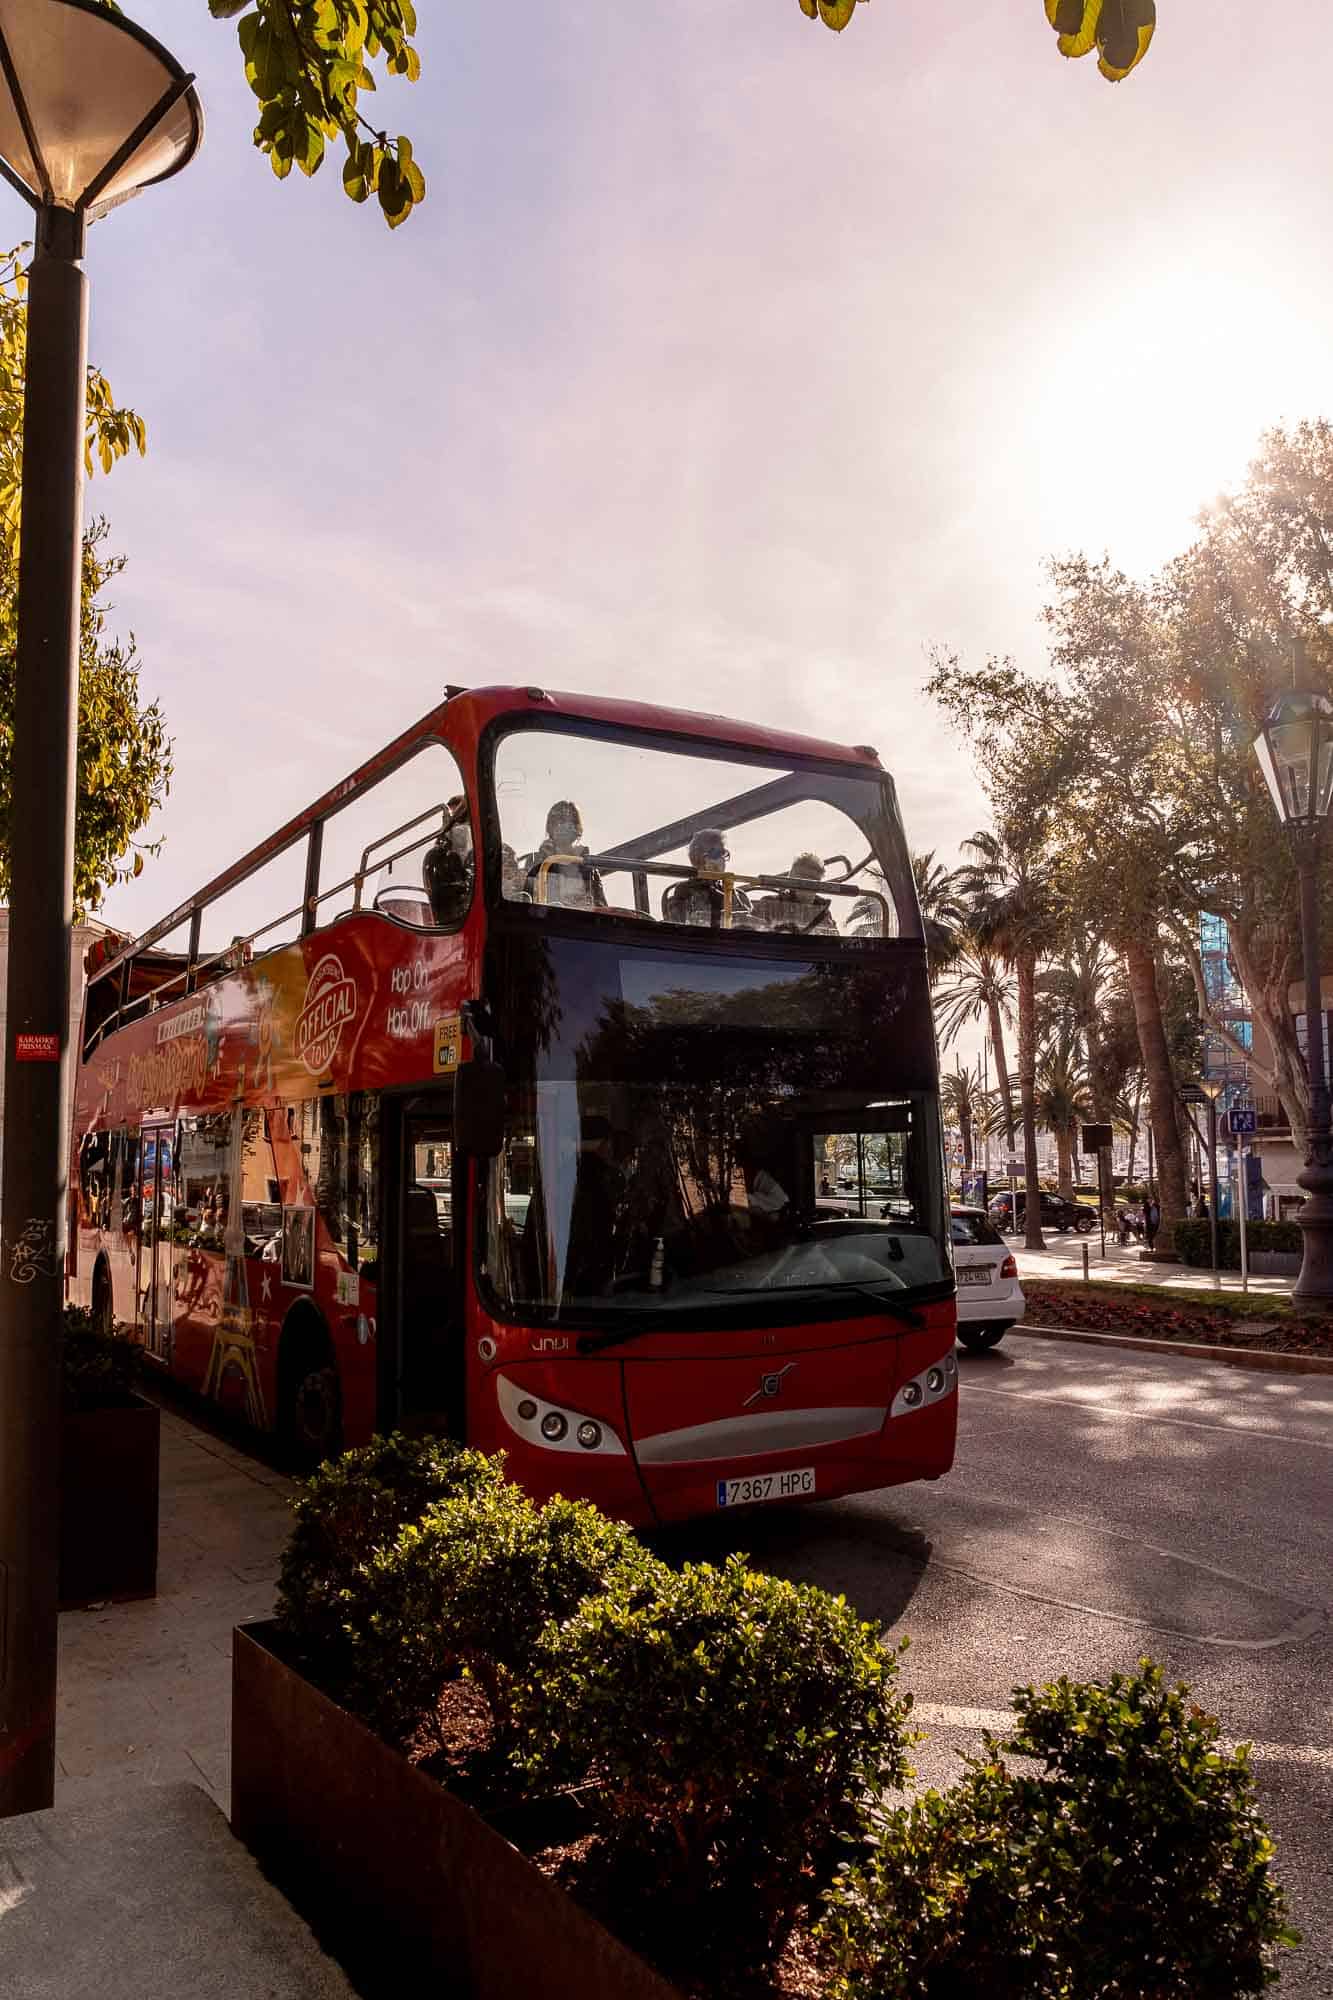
[738,1727]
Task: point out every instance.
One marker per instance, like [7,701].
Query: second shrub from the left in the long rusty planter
[469,1589]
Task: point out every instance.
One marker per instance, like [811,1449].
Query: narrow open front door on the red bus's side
[421,1311]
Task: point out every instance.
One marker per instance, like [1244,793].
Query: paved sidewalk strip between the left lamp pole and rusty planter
[147,1689]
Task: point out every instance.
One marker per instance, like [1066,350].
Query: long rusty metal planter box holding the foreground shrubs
[395,1873]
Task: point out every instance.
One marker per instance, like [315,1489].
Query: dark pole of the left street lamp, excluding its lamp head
[37,1057]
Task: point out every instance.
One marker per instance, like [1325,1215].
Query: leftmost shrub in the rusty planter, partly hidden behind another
[349,1511]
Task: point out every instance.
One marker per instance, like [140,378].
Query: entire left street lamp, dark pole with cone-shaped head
[91,111]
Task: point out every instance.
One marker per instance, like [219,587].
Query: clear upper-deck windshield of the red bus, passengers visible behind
[627,825]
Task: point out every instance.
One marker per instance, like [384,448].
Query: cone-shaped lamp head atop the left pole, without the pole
[93,109]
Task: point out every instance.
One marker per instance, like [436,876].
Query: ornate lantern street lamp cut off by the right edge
[1296,757]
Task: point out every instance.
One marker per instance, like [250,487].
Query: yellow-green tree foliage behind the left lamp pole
[123,749]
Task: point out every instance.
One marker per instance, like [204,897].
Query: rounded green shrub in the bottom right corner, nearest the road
[1130,1865]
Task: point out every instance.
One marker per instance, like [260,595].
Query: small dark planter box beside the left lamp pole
[109,1503]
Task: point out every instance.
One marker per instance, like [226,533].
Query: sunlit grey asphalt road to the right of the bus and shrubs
[1110,1505]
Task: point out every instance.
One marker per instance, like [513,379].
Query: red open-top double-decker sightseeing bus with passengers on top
[579,1103]
